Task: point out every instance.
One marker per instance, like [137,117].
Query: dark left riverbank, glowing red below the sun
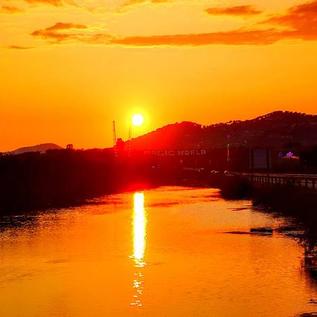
[64,178]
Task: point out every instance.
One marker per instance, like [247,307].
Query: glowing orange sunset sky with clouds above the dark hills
[70,67]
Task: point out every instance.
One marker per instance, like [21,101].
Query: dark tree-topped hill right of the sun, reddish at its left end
[276,129]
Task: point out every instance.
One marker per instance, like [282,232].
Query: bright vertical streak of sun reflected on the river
[139,245]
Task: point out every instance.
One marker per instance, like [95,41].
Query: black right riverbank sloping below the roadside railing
[298,204]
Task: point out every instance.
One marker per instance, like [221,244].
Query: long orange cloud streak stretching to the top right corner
[299,22]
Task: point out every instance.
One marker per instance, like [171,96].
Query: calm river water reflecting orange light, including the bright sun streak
[162,252]
